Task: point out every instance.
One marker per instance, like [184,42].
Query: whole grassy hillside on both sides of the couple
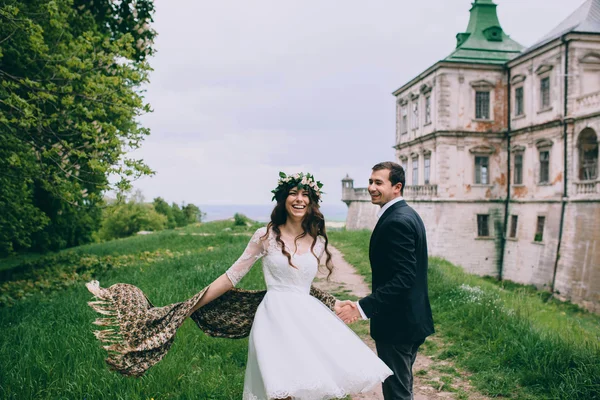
[514,343]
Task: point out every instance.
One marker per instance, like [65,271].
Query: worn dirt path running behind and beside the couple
[434,379]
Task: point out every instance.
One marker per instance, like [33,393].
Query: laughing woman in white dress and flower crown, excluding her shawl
[298,348]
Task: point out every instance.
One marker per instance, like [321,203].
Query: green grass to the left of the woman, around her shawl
[47,350]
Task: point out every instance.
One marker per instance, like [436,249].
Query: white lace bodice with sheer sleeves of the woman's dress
[277,271]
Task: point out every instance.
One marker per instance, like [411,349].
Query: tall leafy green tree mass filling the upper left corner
[70,79]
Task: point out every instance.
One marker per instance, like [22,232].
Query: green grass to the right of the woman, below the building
[514,343]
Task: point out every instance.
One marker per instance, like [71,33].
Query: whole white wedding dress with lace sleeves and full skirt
[298,347]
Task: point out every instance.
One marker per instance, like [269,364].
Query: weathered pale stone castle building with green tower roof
[500,148]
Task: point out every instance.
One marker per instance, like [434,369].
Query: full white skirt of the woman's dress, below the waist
[299,348]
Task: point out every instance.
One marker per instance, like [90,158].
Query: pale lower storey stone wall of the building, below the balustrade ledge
[452,234]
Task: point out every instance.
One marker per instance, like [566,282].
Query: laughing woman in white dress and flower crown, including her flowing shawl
[298,347]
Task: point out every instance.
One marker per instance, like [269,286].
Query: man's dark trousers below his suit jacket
[400,359]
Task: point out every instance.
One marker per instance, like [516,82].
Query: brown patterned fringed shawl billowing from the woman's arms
[140,334]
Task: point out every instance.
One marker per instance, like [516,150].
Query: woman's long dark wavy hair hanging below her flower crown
[313,225]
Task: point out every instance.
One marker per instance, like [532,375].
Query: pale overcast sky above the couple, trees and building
[244,89]
